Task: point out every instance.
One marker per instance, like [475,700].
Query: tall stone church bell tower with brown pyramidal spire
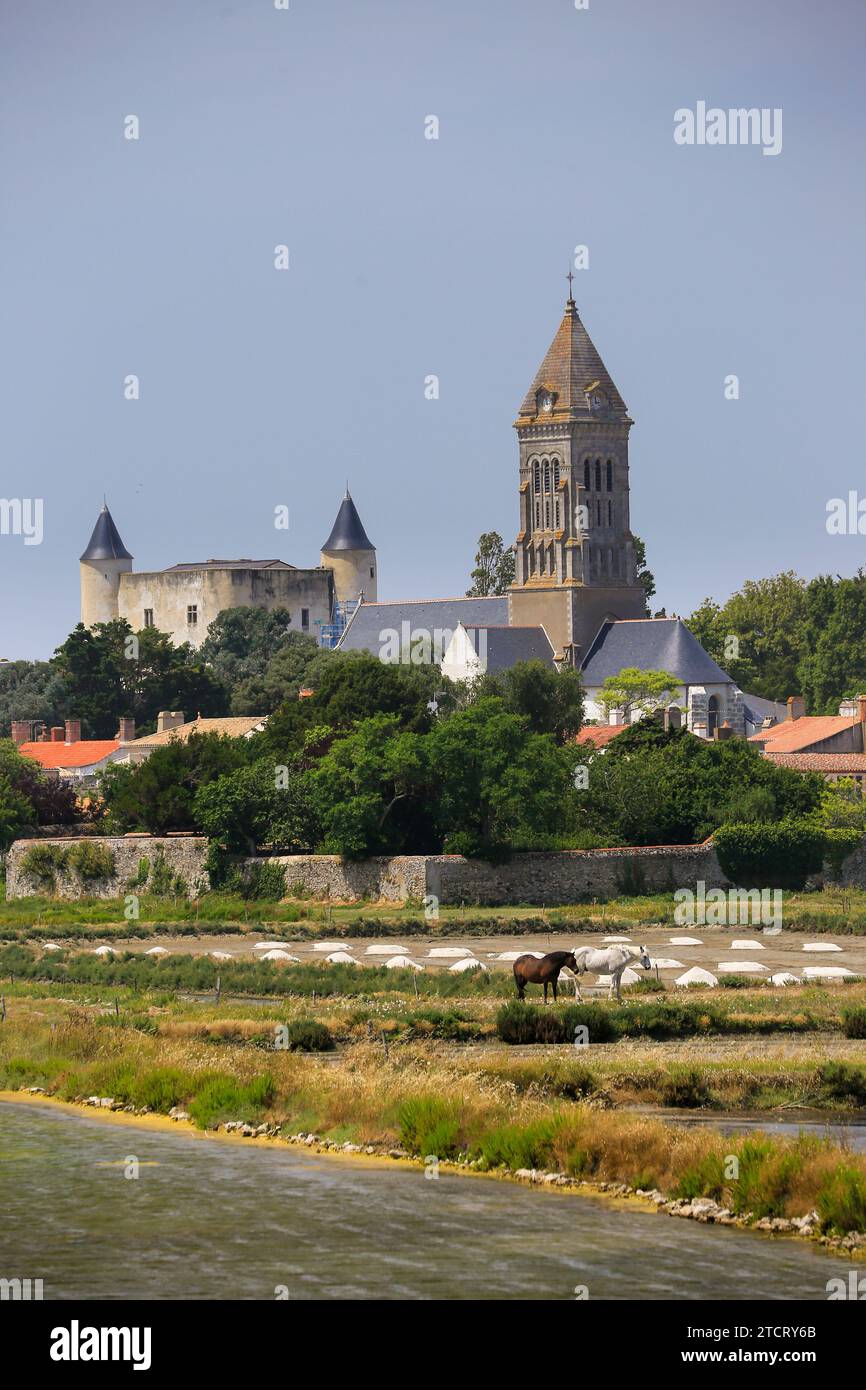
[575,551]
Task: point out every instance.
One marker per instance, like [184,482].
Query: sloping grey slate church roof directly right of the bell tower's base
[653,644]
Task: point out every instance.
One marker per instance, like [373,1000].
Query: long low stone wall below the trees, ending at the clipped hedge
[571,878]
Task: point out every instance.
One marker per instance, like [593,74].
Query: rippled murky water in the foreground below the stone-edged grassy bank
[208,1220]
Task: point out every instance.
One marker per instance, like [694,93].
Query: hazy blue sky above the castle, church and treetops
[412,258]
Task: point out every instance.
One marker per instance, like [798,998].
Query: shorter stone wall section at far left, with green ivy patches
[184,856]
